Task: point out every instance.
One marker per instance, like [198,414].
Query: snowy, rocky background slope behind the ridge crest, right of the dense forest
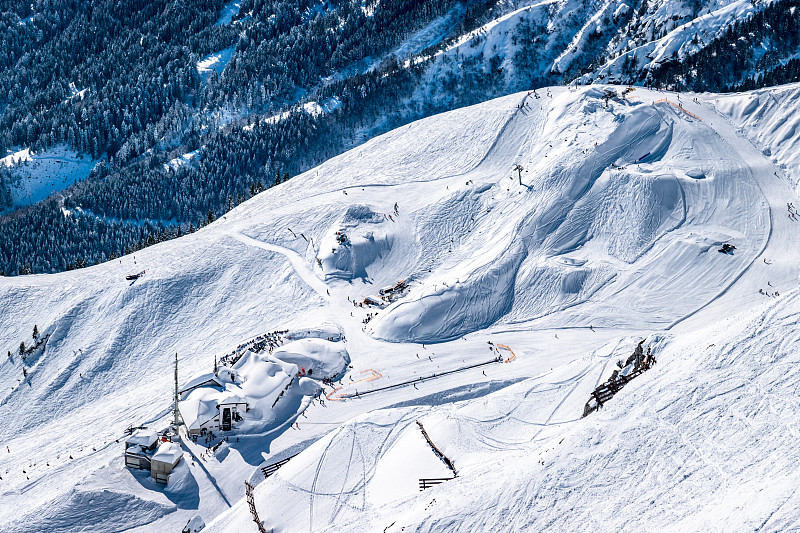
[551,42]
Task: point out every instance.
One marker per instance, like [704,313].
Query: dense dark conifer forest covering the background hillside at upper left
[144,102]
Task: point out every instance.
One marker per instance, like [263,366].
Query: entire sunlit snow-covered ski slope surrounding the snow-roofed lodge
[565,225]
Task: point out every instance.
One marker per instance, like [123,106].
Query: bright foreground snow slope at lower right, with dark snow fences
[703,442]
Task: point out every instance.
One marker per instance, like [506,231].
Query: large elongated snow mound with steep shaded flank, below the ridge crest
[582,191]
